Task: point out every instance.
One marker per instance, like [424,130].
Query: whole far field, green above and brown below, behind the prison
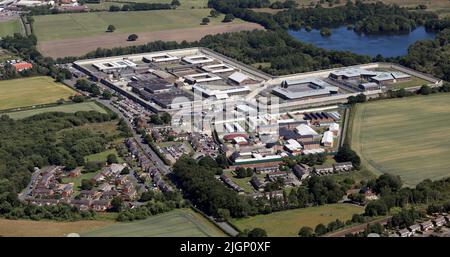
[89,29]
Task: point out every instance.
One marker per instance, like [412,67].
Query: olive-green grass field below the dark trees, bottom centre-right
[288,223]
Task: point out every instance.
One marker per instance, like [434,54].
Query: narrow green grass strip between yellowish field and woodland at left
[68,108]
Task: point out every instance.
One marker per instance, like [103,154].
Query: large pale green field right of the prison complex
[409,137]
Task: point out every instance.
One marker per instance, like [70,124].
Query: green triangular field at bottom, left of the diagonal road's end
[176,223]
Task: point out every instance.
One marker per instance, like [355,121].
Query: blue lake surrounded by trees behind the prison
[348,40]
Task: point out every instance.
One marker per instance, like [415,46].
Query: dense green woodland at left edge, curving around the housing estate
[38,141]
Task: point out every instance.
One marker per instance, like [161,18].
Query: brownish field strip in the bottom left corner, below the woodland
[29,228]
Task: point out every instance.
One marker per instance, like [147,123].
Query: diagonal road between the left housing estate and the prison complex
[149,151]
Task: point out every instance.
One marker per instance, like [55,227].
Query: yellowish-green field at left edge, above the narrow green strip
[31,91]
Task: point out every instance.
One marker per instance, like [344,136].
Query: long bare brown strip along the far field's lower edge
[81,46]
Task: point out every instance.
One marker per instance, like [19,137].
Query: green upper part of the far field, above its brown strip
[48,27]
